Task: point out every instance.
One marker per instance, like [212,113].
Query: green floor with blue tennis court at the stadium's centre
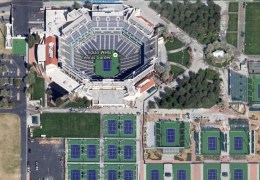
[107,64]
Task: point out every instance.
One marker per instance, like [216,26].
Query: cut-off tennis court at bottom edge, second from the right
[212,171]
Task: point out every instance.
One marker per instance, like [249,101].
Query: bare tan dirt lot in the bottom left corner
[9,147]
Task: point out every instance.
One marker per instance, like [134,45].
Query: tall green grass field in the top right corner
[252,40]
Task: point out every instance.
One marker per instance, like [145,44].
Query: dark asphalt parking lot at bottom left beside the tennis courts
[46,159]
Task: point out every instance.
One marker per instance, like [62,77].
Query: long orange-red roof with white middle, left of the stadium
[51,51]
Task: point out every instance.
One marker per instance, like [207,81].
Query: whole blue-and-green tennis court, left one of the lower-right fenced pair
[210,142]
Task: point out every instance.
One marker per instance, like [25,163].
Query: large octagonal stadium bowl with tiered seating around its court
[112,28]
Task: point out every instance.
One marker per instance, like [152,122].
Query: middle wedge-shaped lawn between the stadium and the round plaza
[182,57]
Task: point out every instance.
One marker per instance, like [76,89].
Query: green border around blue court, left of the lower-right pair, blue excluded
[205,135]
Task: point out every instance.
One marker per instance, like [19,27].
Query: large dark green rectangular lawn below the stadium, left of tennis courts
[69,125]
